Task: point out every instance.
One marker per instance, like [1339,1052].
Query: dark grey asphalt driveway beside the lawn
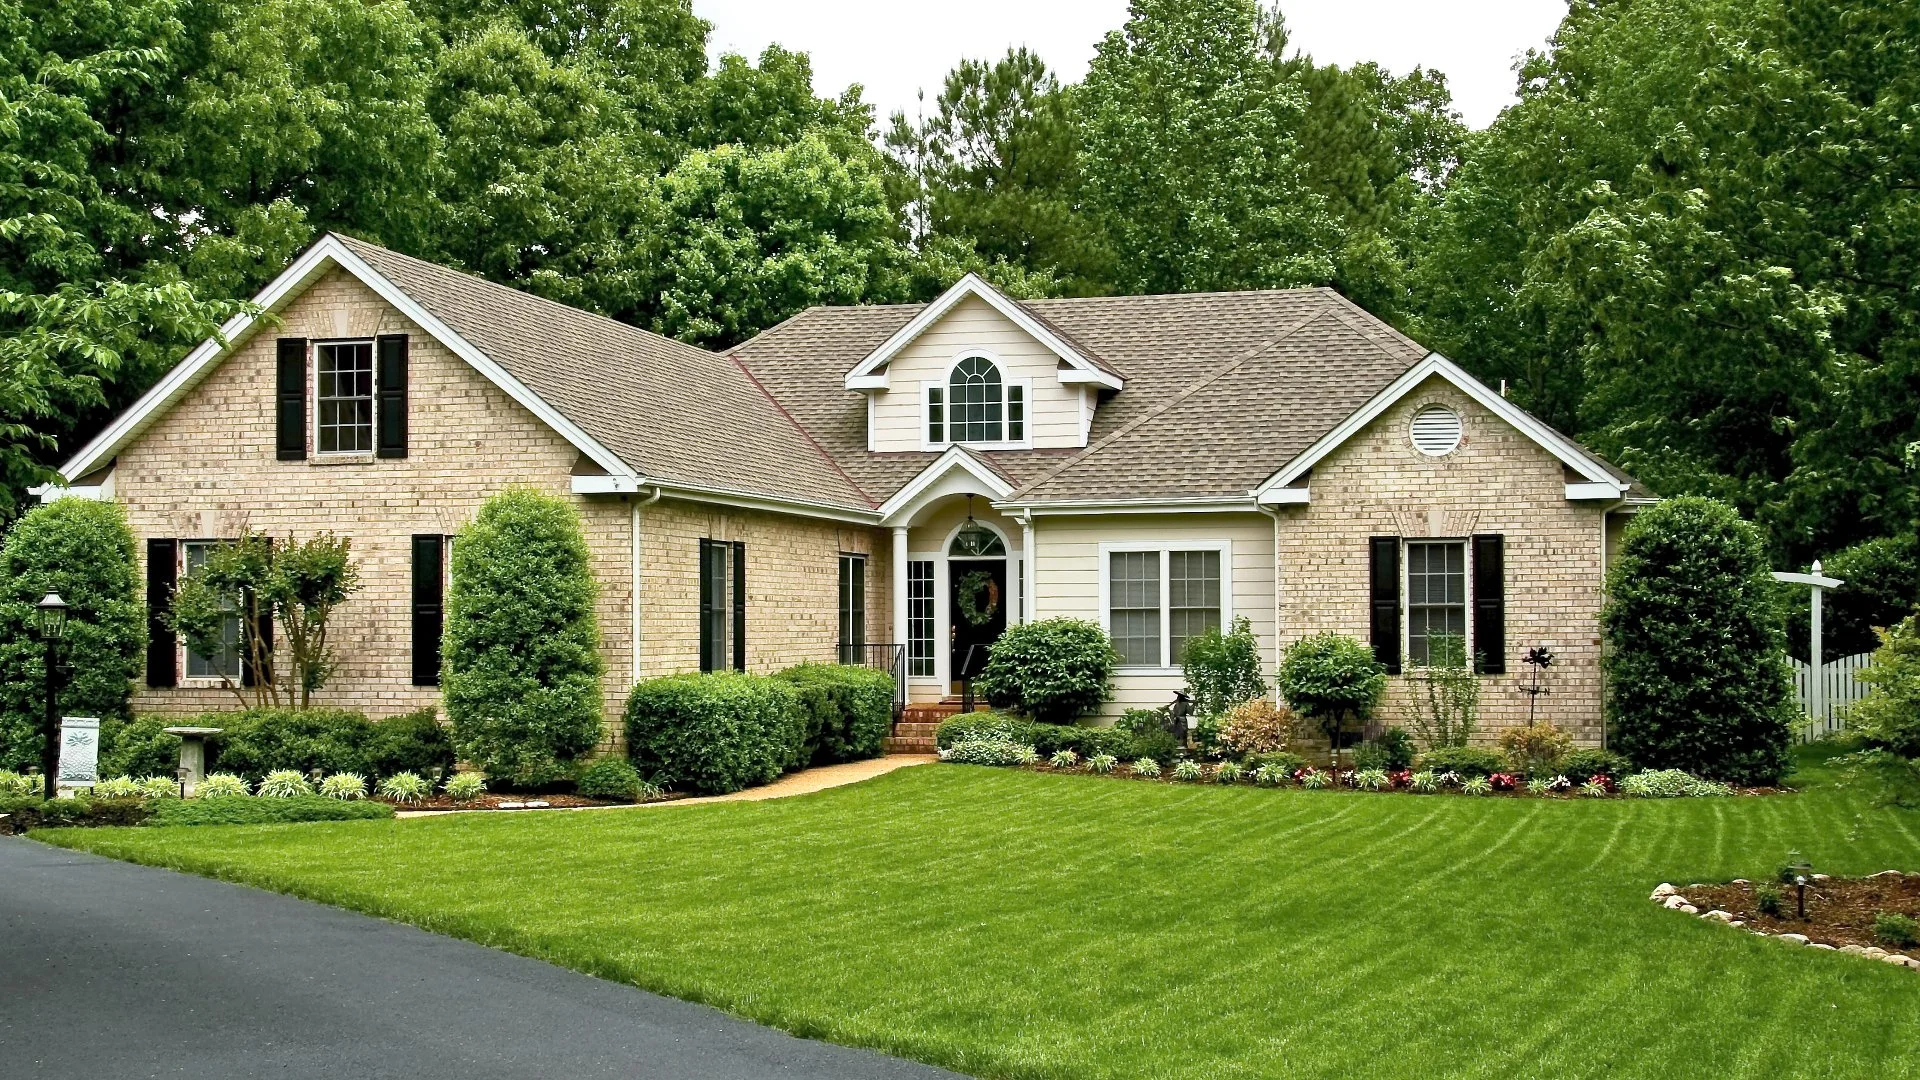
[110,970]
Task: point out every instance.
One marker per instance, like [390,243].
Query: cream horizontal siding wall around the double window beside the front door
[1068,579]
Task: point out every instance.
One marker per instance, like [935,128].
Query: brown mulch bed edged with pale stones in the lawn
[1873,918]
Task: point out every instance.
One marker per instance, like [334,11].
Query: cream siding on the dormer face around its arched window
[900,414]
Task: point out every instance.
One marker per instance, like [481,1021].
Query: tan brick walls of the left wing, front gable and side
[208,470]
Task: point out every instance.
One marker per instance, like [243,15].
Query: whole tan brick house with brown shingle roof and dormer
[878,485]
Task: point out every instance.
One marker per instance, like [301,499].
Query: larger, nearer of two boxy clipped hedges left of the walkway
[715,733]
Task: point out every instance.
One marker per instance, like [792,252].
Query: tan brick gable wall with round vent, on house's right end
[1499,481]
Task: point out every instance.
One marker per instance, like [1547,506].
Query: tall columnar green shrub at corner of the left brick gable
[523,668]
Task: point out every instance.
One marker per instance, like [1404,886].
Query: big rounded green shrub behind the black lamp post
[85,552]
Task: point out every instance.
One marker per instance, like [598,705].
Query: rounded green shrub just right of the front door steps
[1055,670]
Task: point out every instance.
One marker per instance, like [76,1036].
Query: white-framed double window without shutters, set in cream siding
[1155,599]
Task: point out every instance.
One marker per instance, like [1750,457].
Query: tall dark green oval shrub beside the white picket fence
[1696,658]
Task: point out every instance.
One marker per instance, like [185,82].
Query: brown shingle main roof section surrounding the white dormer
[1222,389]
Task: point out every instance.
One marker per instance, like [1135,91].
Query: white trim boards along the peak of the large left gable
[327,253]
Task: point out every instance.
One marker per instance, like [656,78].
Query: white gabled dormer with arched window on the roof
[978,370]
